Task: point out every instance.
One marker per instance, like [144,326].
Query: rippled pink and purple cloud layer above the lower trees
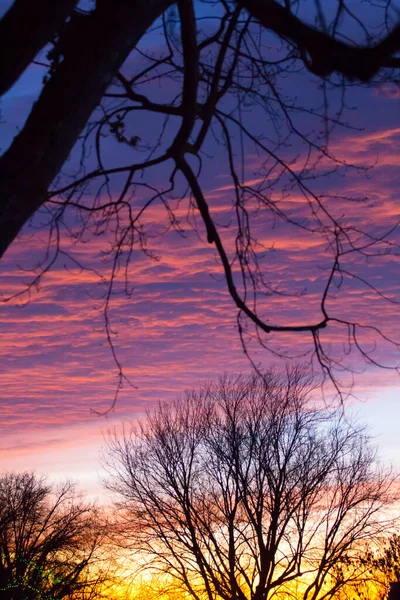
[178,327]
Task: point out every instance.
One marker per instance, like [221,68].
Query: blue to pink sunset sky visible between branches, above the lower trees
[178,329]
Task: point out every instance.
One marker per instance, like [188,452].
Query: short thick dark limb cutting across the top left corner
[25,28]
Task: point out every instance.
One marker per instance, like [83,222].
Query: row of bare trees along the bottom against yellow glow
[248,489]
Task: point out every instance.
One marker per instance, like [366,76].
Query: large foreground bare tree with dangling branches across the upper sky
[215,67]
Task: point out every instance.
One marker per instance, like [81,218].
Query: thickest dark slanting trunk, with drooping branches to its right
[91,59]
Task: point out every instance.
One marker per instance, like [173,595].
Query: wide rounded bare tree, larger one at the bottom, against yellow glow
[246,490]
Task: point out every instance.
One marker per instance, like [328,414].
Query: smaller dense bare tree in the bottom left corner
[49,542]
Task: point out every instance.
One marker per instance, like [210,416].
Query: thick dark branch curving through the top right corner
[326,54]
